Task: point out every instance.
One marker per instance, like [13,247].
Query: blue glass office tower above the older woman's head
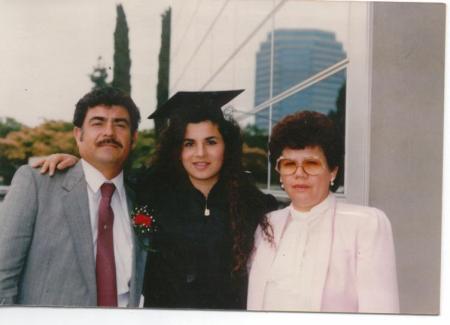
[298,55]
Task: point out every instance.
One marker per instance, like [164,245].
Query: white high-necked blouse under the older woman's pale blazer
[291,278]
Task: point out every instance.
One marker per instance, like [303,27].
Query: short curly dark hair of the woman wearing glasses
[307,129]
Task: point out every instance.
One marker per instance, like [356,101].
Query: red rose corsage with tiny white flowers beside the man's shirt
[144,225]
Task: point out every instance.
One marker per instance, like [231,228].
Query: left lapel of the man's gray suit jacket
[76,210]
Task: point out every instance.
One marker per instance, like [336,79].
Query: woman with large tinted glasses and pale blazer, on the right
[323,255]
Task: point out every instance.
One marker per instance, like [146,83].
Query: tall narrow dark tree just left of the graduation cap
[164,67]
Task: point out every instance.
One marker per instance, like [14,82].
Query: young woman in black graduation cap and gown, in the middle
[205,205]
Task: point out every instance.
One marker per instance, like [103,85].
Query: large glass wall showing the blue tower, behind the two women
[288,55]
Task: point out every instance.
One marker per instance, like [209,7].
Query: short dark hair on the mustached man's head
[106,96]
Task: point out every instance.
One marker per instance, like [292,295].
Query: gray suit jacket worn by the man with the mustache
[46,250]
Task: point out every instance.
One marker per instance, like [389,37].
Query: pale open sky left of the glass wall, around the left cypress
[49,48]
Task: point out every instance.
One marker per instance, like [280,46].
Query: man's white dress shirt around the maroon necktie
[122,235]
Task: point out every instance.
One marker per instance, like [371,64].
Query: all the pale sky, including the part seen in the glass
[49,47]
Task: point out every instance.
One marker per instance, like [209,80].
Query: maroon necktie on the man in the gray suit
[105,268]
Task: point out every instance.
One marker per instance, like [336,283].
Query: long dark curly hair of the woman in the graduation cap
[247,206]
